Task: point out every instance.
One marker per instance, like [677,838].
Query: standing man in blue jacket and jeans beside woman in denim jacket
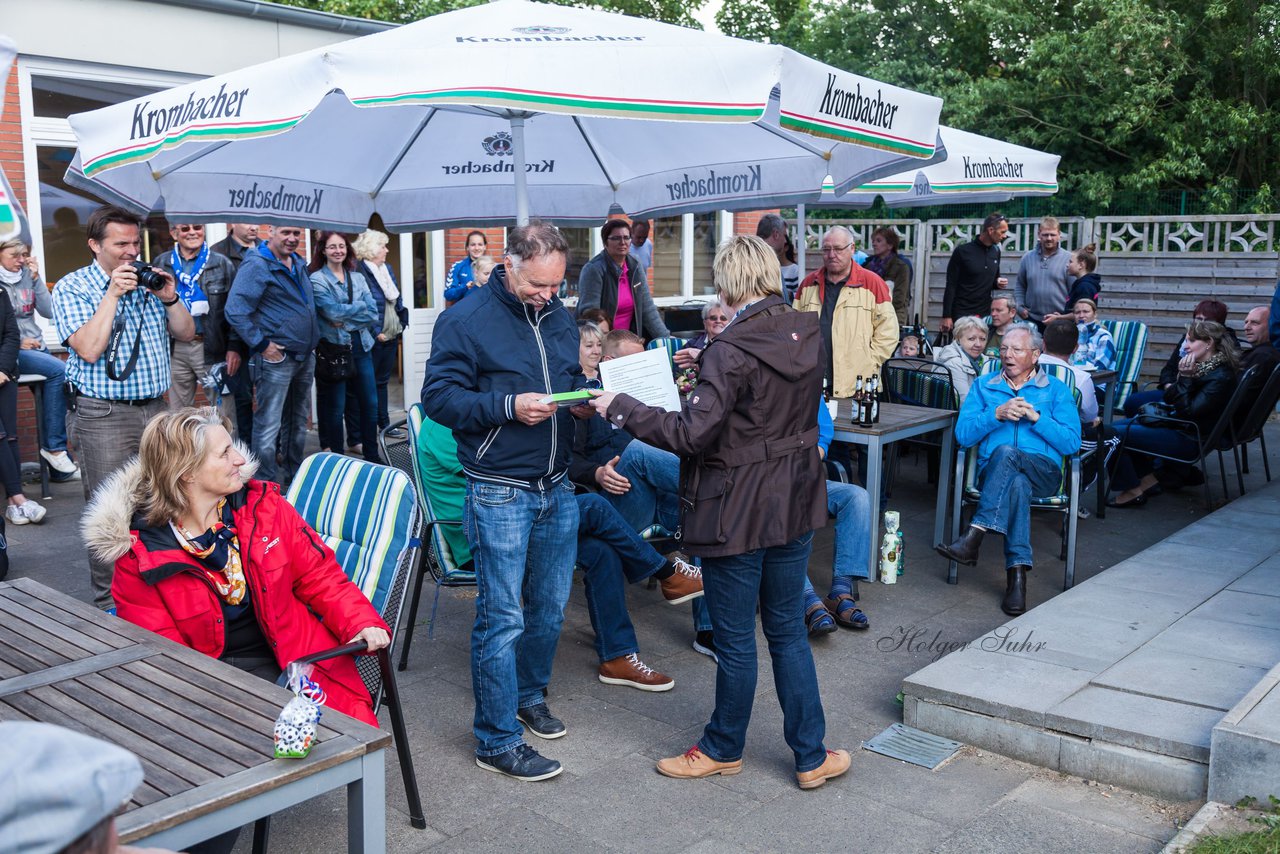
[273,309]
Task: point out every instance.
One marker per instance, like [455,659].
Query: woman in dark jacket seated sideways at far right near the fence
[1206,381]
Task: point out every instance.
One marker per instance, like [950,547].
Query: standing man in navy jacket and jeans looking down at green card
[495,358]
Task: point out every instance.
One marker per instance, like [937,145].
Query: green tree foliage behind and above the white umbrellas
[1133,94]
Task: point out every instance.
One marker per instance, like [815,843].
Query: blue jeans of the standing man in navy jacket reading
[524,572]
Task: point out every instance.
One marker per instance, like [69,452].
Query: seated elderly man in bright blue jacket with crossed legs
[1023,423]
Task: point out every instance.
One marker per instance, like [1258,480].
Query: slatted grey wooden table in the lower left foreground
[202,729]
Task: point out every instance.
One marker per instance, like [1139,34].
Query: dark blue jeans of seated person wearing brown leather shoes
[612,556]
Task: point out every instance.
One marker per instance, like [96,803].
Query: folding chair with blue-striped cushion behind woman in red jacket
[369,517]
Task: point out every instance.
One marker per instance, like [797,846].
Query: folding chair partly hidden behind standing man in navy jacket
[437,559]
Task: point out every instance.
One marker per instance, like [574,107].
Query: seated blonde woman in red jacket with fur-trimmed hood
[226,565]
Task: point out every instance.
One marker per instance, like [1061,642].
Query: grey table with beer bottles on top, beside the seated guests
[899,422]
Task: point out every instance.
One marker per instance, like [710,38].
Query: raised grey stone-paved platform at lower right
[1135,668]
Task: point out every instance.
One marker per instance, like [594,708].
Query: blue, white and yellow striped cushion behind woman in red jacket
[365,513]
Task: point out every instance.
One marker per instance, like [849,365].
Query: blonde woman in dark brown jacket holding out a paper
[753,491]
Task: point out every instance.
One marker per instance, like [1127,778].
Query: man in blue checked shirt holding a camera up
[116,317]
